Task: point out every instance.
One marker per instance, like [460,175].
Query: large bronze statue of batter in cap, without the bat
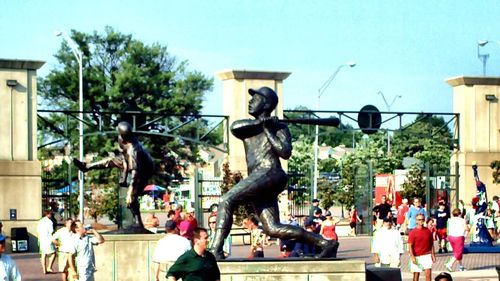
[265,140]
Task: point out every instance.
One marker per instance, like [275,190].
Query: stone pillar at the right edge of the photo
[476,99]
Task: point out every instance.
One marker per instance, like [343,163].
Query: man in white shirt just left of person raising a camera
[64,239]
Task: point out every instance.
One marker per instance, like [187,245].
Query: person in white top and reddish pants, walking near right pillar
[457,229]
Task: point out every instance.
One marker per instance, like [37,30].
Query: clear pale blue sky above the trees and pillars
[406,48]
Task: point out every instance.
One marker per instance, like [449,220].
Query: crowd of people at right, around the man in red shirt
[449,228]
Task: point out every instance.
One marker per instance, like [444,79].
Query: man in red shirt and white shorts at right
[421,249]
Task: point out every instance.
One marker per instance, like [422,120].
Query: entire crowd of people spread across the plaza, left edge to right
[185,243]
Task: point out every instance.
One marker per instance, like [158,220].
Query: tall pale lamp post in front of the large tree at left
[78,55]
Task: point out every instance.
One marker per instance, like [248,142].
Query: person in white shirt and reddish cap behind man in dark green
[170,247]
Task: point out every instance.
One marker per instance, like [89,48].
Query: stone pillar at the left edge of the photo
[20,170]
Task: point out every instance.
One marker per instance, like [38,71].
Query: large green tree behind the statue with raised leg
[122,73]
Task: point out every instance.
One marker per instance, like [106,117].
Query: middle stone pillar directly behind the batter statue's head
[235,85]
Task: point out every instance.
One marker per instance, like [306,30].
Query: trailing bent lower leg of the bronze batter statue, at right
[269,216]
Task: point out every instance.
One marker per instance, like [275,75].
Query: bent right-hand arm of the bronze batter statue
[280,139]
